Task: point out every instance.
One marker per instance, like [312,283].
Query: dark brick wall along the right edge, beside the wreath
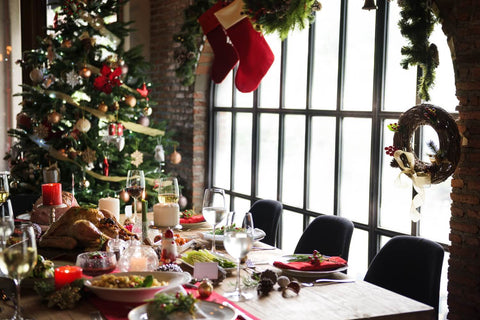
[462,24]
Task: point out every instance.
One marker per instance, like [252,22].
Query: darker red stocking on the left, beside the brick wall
[225,55]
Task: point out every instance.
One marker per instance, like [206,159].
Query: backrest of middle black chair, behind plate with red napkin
[329,235]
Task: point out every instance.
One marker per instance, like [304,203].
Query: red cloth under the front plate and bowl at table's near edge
[112,310]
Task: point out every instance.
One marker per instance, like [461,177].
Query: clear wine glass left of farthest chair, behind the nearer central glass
[213,209]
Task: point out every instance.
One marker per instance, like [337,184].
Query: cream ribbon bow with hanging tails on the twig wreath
[419,180]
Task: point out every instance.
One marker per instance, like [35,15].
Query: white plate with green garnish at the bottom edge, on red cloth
[203,310]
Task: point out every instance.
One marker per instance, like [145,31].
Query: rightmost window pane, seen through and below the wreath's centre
[435,211]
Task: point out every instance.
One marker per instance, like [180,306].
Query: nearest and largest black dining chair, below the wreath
[410,266]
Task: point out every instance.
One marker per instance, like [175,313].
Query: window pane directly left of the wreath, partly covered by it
[396,191]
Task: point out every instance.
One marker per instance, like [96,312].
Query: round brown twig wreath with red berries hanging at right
[446,156]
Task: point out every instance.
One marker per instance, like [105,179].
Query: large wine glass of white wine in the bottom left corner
[18,259]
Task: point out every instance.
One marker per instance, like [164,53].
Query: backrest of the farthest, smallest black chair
[266,214]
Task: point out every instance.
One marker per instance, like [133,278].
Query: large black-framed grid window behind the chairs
[313,135]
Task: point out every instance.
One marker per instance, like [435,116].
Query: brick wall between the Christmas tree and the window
[185,108]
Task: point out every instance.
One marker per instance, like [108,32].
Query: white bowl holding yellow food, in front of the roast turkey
[138,295]
